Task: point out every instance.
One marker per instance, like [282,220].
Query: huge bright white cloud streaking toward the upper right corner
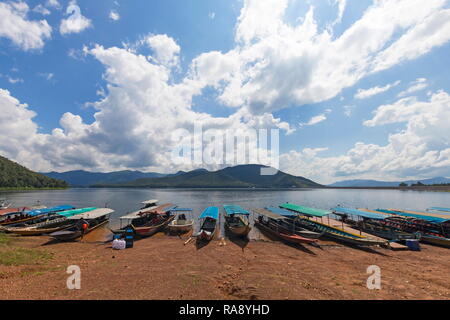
[277,65]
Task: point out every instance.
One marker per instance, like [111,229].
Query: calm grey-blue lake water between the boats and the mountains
[127,200]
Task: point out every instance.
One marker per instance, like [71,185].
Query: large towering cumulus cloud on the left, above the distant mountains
[118,138]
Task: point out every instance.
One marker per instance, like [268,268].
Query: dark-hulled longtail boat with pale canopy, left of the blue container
[82,224]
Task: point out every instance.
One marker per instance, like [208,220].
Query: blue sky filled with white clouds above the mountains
[358,89]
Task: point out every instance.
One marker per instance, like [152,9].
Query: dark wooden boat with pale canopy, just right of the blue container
[147,222]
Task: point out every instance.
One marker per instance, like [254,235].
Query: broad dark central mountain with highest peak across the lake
[242,176]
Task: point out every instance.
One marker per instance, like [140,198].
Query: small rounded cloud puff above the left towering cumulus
[166,50]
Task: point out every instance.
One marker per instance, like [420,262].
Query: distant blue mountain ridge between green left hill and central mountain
[81,178]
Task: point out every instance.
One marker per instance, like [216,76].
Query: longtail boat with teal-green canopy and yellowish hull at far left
[48,224]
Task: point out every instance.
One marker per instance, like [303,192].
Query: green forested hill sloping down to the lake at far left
[13,175]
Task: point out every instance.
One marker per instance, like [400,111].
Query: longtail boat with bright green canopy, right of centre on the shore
[333,232]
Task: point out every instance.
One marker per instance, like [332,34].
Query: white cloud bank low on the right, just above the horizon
[421,150]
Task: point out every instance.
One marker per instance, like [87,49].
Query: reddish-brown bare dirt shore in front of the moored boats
[162,267]
